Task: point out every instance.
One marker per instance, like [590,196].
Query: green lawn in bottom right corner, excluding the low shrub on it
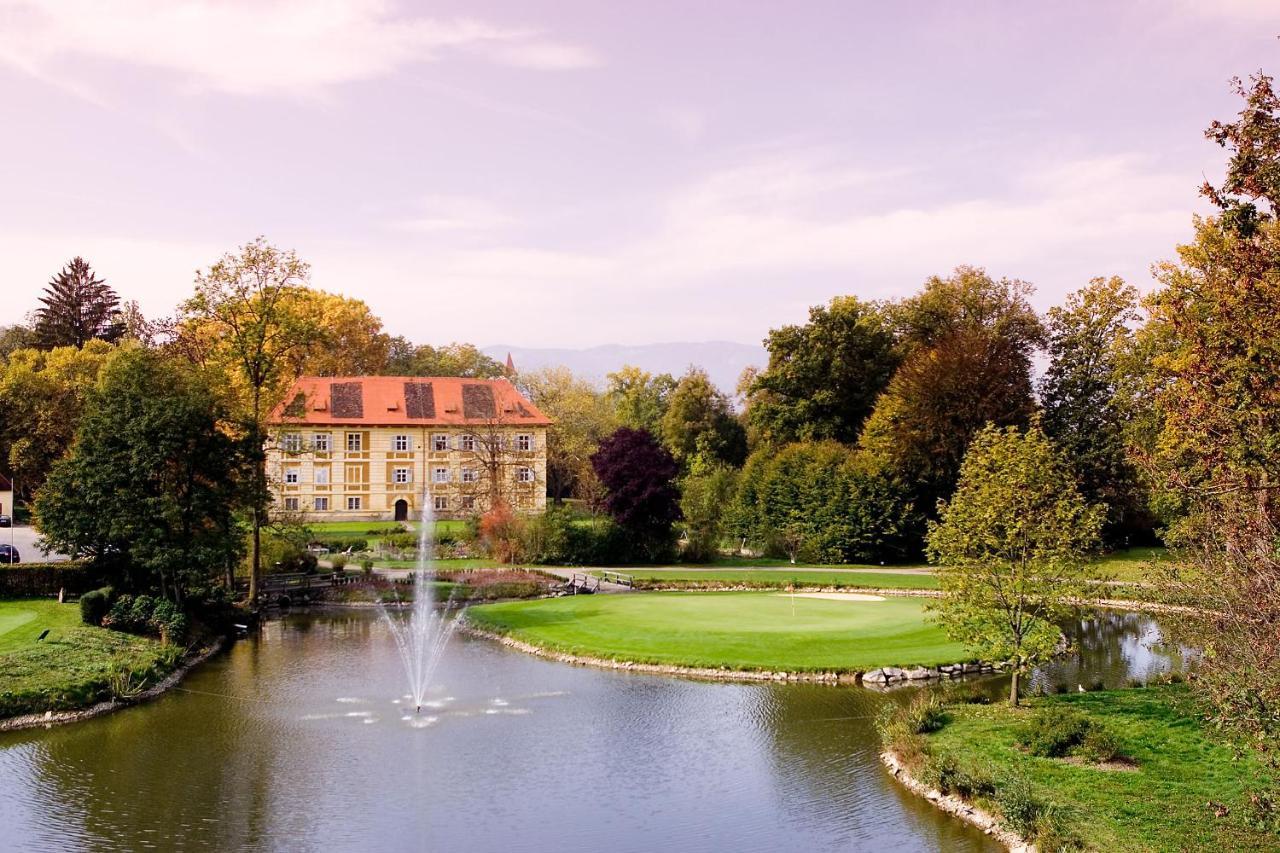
[1159,808]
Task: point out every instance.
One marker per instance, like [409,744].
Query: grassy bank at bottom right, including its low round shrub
[1172,786]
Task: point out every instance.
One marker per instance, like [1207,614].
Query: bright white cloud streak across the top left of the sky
[262,48]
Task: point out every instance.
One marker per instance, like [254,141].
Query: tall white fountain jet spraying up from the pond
[423,637]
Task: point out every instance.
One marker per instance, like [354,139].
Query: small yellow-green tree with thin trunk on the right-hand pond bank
[1011,548]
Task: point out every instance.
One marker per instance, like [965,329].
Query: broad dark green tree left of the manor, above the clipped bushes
[149,489]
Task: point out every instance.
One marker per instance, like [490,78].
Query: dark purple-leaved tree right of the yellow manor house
[639,475]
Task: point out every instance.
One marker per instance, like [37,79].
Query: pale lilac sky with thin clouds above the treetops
[573,175]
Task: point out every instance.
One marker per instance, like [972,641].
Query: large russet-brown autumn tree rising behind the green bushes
[970,343]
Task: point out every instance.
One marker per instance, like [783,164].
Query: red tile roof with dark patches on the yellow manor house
[403,402]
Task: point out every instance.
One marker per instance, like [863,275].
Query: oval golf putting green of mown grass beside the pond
[735,631]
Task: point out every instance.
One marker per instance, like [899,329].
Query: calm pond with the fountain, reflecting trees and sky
[295,741]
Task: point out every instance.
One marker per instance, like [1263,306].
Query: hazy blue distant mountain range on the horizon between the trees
[723,361]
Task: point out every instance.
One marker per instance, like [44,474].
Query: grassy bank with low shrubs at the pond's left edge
[75,667]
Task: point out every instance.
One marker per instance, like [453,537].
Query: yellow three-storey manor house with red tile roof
[376,448]
